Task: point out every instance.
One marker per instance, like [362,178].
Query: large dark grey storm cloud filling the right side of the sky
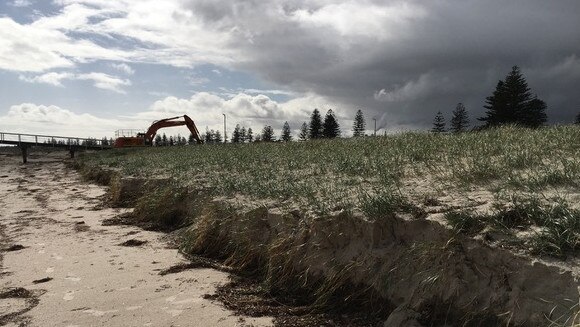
[405,60]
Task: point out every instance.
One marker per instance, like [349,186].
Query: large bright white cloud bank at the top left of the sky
[156,32]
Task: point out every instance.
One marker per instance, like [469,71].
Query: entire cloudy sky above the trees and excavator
[90,67]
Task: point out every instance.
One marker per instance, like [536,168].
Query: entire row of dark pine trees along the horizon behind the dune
[512,102]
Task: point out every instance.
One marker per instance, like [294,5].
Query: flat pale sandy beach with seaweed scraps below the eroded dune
[92,280]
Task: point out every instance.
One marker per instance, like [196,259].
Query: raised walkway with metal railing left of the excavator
[52,140]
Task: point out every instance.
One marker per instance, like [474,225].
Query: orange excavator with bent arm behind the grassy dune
[146,139]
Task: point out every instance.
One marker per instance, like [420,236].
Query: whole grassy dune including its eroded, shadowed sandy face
[412,220]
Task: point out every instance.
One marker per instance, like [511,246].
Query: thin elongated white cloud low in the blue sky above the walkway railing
[100,80]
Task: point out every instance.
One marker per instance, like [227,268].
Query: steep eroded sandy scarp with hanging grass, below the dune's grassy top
[415,270]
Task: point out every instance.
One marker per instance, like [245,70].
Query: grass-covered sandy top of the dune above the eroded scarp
[506,179]
